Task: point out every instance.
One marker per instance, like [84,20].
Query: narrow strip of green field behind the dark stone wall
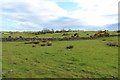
[56,35]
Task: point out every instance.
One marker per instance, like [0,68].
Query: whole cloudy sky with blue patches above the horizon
[35,15]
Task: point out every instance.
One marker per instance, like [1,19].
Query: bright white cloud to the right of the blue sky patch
[96,12]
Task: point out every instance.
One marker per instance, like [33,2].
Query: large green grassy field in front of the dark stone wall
[88,58]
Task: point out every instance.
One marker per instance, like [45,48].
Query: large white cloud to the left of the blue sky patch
[32,11]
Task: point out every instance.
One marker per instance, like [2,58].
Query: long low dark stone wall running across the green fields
[53,39]
